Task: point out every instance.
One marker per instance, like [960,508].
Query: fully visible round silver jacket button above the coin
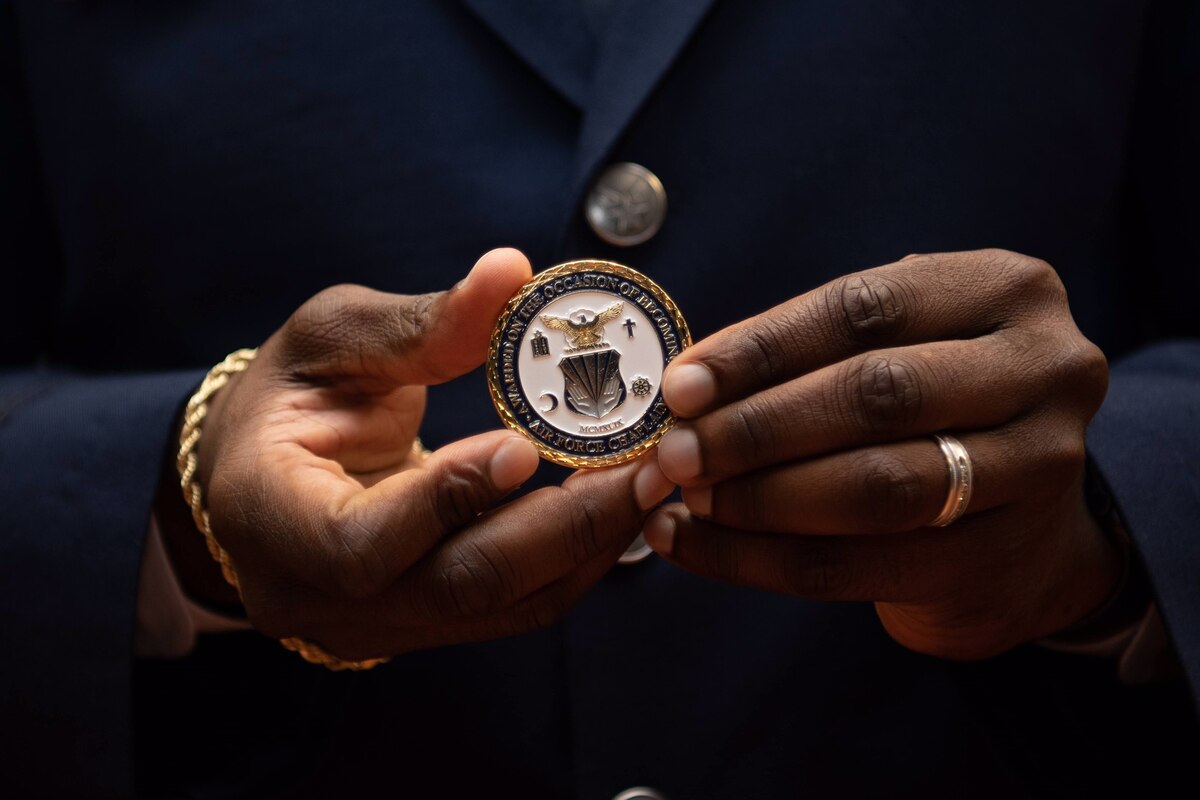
[627,204]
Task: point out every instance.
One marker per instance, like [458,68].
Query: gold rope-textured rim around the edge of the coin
[494,357]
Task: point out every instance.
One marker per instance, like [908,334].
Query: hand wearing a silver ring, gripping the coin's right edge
[808,464]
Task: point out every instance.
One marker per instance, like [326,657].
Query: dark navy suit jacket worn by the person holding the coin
[178,177]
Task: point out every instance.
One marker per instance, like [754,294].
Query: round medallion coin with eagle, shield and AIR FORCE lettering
[578,359]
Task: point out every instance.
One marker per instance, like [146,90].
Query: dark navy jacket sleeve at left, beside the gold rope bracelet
[81,460]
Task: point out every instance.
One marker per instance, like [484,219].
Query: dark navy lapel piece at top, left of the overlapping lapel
[550,35]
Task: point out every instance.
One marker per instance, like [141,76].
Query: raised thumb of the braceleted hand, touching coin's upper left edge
[355,332]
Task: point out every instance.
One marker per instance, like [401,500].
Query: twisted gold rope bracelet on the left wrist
[187,462]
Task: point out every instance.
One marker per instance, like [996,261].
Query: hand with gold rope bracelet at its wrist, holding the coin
[343,537]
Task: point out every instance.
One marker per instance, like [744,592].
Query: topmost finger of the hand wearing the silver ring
[919,299]
